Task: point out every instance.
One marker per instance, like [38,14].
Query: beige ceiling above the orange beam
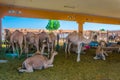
[108,8]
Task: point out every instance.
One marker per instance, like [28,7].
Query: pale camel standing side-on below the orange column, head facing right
[76,39]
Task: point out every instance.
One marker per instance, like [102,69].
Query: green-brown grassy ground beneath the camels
[66,69]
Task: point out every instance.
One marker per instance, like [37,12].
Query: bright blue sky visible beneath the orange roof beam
[35,23]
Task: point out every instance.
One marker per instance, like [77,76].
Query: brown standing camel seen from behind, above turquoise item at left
[17,38]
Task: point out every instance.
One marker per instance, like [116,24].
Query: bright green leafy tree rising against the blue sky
[53,25]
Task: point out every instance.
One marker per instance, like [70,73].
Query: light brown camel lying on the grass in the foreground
[37,61]
